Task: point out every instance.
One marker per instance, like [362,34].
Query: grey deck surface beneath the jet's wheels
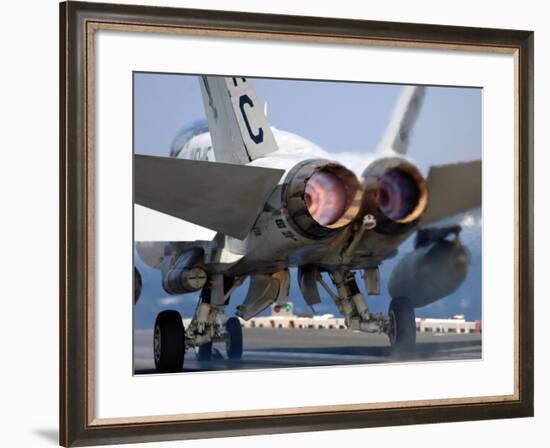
[278,348]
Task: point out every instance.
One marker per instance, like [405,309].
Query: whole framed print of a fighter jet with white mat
[257,209]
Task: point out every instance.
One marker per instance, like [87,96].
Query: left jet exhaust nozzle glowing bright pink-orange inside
[321,197]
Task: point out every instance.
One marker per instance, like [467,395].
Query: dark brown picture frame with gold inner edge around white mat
[79,22]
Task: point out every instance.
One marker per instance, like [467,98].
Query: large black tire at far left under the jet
[170,352]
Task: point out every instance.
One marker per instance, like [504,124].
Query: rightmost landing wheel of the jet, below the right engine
[402,331]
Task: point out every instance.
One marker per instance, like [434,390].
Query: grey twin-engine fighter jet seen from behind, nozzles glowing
[276,202]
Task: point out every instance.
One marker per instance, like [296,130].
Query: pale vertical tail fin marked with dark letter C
[238,127]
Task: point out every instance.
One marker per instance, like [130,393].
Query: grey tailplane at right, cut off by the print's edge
[452,189]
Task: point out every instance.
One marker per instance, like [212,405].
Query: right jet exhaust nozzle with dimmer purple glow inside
[395,193]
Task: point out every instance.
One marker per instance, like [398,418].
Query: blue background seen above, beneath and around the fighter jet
[338,117]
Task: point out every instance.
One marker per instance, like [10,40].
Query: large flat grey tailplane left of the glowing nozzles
[220,196]
